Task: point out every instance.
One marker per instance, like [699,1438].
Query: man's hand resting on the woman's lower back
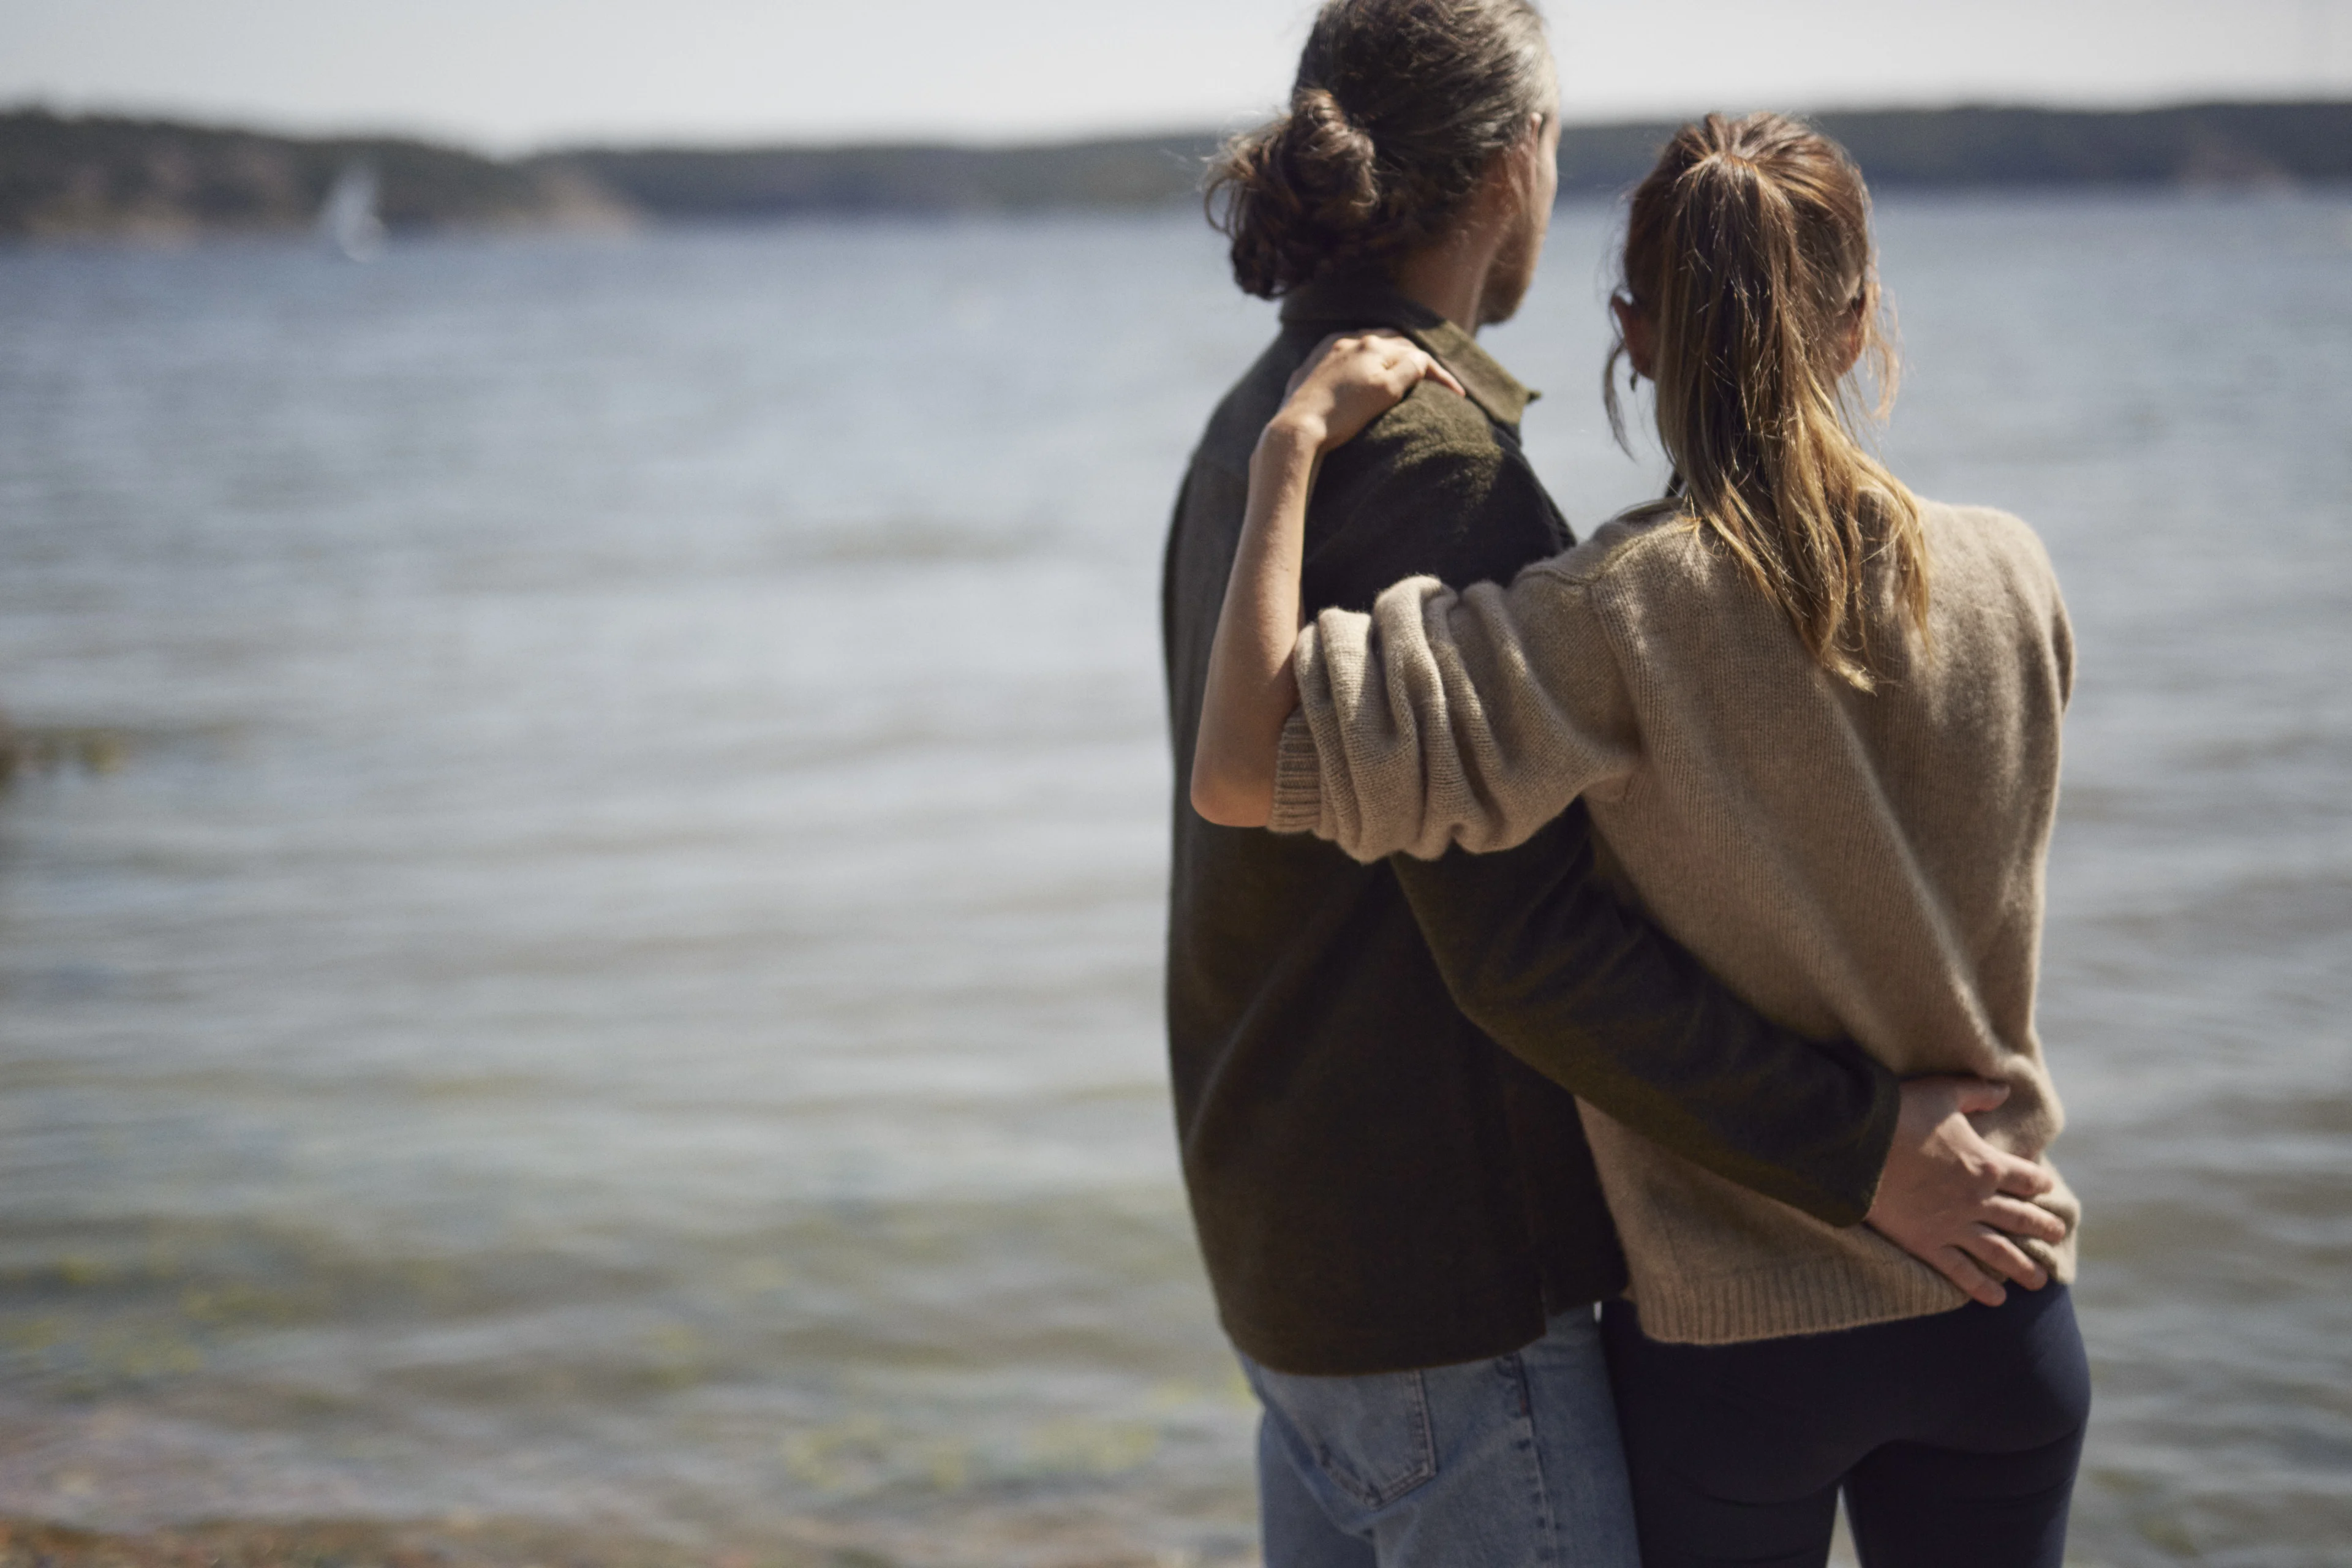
[1953,1200]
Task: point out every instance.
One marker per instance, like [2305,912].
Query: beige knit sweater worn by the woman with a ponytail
[1855,866]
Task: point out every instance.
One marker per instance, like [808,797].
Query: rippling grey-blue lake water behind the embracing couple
[587,939]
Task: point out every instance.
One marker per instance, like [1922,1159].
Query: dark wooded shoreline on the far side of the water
[102,177]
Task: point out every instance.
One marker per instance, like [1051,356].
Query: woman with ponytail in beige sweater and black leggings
[1817,725]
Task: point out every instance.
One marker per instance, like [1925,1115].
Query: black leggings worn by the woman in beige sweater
[1956,1440]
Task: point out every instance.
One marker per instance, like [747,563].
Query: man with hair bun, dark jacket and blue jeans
[1396,1202]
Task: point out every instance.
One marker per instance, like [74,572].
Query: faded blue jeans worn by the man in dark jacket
[1476,1466]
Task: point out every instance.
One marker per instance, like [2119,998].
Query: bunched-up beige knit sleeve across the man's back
[1455,718]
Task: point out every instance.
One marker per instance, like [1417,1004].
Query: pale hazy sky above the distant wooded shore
[521,74]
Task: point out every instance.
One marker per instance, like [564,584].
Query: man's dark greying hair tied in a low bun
[1396,114]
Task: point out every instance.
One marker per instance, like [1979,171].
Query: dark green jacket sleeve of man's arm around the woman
[1535,944]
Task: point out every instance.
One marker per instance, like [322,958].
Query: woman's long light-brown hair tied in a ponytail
[1749,253]
